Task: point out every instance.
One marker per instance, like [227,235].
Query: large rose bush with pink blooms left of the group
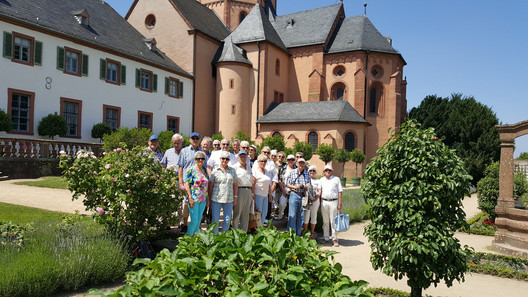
[133,194]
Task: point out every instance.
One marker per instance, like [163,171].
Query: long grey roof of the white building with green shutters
[106,29]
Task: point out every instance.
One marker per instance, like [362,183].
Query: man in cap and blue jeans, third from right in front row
[296,181]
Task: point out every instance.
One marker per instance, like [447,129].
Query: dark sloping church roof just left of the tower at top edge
[202,18]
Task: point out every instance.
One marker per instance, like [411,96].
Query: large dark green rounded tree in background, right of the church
[464,125]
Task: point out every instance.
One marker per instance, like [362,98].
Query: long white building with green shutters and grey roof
[82,60]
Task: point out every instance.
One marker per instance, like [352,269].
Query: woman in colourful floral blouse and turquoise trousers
[196,187]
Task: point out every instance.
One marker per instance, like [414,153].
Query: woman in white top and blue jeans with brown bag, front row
[262,187]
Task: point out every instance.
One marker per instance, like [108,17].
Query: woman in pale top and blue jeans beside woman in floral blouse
[223,191]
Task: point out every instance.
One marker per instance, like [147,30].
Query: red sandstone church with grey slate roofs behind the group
[314,76]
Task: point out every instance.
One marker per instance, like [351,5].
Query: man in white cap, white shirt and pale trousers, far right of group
[331,194]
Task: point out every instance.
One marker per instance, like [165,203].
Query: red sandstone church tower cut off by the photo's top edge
[232,12]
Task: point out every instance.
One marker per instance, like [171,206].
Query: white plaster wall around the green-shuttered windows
[91,90]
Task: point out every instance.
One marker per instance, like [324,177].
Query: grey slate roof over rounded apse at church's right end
[358,33]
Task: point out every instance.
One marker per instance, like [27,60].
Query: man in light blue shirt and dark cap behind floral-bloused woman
[186,161]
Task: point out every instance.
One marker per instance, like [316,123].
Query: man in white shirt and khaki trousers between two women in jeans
[246,193]
